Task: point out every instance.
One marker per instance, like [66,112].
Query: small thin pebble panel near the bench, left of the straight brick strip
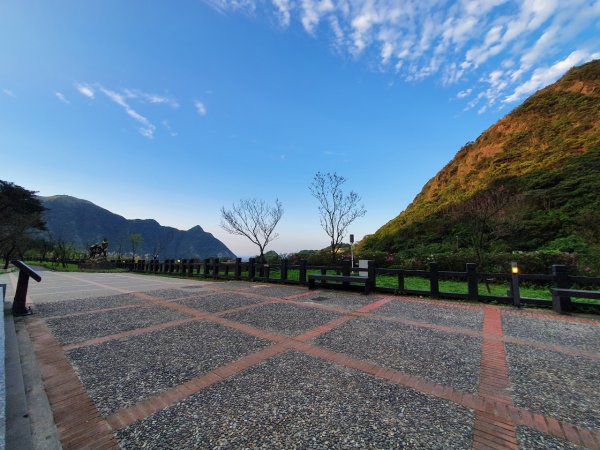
[438,315]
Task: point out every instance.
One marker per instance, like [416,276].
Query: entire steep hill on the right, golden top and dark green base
[545,154]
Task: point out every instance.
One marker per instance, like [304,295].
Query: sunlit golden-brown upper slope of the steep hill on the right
[556,124]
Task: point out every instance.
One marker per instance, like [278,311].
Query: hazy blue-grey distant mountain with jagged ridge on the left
[83,223]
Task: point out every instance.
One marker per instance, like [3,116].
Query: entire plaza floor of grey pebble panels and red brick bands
[135,361]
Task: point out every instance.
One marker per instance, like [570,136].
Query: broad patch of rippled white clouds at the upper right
[485,47]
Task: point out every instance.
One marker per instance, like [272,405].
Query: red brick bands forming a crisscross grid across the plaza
[80,424]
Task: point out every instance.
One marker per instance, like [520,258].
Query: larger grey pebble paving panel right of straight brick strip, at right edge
[555,384]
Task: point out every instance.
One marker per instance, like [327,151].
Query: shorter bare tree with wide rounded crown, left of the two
[254,219]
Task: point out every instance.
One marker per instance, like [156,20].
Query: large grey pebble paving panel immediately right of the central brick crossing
[445,358]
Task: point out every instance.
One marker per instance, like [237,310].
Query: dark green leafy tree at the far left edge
[21,214]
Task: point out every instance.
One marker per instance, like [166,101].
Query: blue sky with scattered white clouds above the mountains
[170,110]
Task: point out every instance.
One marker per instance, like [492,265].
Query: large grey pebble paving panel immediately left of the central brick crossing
[118,374]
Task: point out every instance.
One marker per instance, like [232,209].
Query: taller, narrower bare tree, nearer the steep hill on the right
[336,209]
